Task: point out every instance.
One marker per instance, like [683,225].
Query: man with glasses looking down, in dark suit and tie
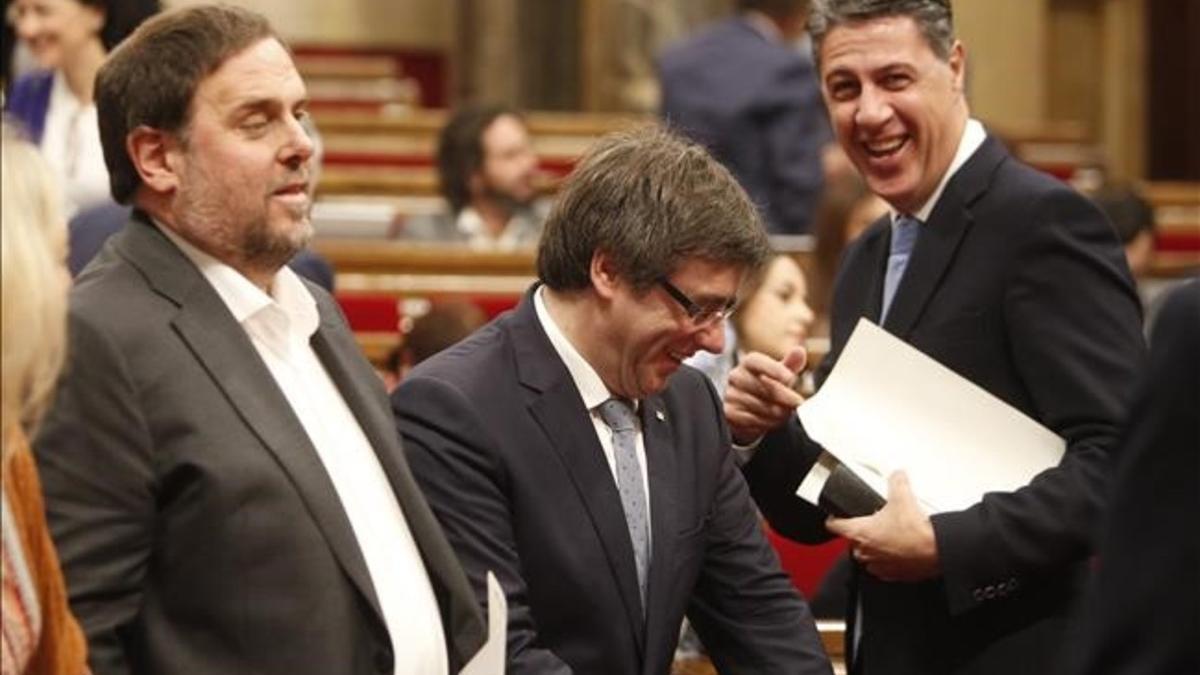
[566,450]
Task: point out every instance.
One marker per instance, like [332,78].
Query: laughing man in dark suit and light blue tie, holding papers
[1004,276]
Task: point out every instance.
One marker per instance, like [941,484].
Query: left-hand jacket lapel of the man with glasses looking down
[559,410]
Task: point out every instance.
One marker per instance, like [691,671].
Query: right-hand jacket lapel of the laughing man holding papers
[940,238]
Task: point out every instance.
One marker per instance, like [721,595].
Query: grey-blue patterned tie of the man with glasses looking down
[619,415]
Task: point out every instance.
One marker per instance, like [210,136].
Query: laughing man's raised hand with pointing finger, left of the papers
[760,397]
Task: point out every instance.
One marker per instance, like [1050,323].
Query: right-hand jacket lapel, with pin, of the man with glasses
[661,467]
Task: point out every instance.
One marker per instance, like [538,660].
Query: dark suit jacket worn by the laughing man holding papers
[1019,285]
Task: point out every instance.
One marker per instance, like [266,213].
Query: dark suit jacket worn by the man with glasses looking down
[497,435]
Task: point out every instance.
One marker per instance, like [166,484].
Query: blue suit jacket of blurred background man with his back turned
[757,106]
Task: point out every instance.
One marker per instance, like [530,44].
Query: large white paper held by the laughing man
[887,407]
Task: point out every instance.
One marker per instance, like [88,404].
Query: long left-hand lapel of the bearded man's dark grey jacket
[226,353]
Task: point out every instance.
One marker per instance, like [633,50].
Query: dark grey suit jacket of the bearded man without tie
[196,524]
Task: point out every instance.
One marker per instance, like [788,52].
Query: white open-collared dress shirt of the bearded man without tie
[281,326]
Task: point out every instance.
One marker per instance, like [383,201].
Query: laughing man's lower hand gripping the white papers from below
[897,543]
